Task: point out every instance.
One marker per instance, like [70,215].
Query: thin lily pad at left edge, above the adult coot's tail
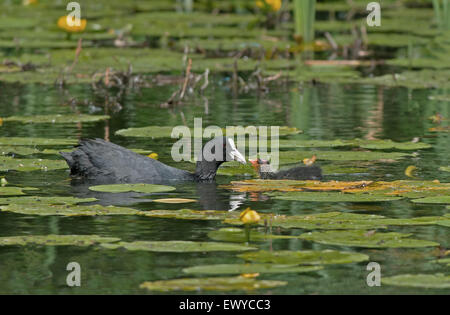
[56,119]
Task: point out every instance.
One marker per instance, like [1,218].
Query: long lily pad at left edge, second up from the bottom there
[68,210]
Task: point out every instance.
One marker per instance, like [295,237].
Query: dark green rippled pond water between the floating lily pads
[321,111]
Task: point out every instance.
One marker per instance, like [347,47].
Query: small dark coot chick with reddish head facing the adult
[312,172]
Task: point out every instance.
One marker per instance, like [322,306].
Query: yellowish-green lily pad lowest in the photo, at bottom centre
[211,284]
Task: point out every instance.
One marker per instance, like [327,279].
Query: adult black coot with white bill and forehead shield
[103,161]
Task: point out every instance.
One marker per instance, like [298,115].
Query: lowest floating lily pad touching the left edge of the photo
[56,240]
